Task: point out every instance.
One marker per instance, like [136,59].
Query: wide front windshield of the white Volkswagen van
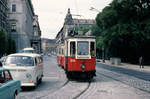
[20,61]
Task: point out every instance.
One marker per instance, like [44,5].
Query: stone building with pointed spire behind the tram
[73,26]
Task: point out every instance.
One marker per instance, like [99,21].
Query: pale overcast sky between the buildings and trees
[51,13]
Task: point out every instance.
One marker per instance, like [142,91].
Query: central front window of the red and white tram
[83,48]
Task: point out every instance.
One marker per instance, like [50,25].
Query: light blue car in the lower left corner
[9,88]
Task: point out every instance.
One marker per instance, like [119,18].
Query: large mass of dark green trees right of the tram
[123,30]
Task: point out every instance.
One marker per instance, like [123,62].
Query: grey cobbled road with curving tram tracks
[110,83]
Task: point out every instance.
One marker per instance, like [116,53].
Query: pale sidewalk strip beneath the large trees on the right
[128,66]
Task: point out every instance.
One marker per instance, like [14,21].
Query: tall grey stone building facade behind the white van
[22,18]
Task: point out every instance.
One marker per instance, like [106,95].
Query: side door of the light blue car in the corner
[4,87]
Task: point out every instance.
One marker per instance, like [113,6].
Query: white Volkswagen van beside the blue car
[28,68]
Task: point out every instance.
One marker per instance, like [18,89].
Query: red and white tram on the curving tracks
[77,56]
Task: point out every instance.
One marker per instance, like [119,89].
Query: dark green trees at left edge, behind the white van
[7,45]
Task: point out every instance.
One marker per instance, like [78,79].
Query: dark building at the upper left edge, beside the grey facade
[3,14]
